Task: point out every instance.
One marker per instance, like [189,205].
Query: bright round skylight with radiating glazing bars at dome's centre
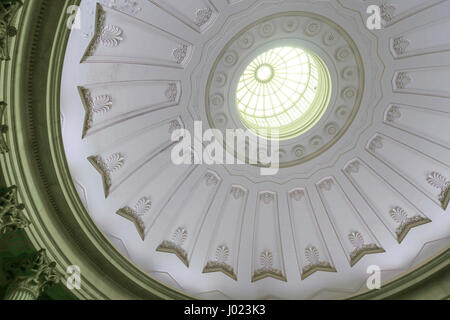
[283,92]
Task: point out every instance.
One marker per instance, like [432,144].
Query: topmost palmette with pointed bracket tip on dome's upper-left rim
[107,35]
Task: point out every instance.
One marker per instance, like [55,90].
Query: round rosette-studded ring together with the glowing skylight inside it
[246,74]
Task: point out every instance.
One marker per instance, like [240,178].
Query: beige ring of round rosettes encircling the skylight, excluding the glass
[325,39]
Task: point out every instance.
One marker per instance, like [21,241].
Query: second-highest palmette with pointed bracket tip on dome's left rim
[94,107]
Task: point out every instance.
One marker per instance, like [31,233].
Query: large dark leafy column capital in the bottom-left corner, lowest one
[33,274]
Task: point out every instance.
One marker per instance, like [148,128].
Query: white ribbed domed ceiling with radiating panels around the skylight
[364,181]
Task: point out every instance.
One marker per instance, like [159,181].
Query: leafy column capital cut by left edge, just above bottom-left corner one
[12,217]
